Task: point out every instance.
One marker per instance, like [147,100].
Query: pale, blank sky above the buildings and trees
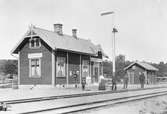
[141,24]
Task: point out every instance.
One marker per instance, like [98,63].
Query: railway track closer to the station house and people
[71,96]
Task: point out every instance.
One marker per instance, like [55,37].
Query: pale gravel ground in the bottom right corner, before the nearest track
[156,105]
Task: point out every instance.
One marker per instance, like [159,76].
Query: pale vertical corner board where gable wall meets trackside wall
[53,68]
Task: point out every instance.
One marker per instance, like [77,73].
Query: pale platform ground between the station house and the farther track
[26,92]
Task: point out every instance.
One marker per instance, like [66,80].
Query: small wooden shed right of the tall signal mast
[133,71]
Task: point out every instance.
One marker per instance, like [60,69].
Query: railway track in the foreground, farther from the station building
[96,104]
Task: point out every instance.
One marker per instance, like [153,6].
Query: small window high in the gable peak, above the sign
[34,43]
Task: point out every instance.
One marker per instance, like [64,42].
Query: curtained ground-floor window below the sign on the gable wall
[35,67]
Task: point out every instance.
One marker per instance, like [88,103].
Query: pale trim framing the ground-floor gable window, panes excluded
[30,76]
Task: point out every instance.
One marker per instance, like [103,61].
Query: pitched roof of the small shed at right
[142,64]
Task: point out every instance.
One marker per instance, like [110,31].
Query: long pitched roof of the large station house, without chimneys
[65,42]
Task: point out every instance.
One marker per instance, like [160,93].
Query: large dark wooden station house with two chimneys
[52,57]
